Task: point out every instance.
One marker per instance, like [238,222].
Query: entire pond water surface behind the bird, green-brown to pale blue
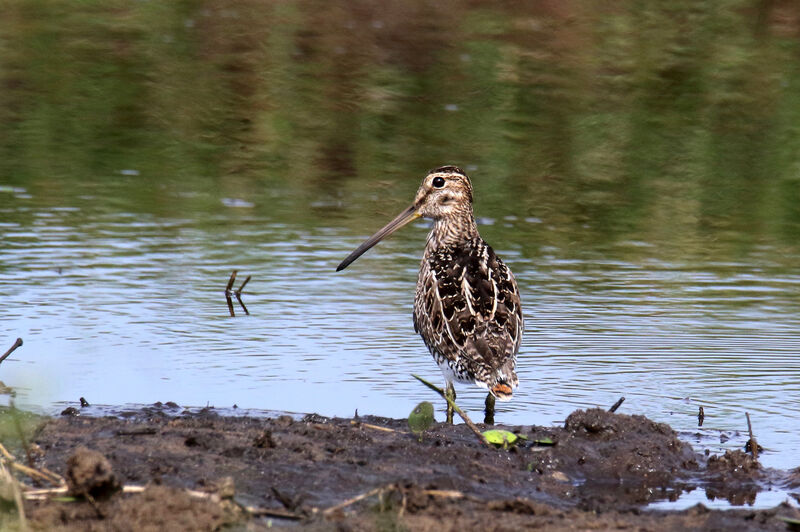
[638,169]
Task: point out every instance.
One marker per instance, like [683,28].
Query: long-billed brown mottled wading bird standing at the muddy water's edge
[467,306]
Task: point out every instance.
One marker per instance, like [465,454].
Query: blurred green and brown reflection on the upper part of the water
[669,123]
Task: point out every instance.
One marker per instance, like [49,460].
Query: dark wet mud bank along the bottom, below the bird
[601,473]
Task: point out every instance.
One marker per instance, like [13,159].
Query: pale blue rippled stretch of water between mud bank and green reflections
[138,308]
